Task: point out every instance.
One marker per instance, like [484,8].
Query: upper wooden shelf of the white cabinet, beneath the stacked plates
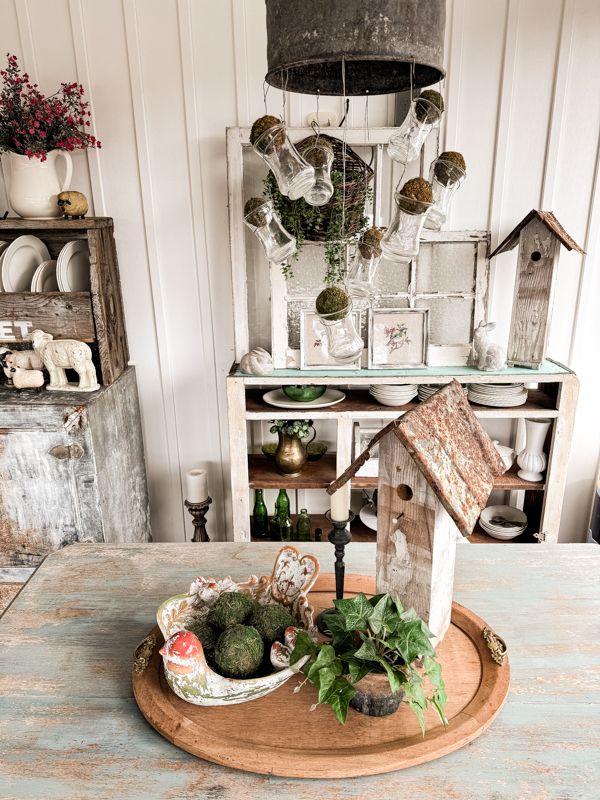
[360,403]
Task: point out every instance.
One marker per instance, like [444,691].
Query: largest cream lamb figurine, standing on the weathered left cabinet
[65,354]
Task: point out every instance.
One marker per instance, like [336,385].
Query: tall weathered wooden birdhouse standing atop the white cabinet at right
[539,237]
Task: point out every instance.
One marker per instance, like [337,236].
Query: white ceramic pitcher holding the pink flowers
[34,185]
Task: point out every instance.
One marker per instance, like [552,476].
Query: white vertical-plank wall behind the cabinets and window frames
[165,77]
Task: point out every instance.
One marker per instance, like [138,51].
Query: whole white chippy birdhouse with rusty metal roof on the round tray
[436,470]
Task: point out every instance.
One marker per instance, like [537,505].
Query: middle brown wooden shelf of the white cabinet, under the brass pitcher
[263,474]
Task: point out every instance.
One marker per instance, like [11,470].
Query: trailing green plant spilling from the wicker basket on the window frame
[299,218]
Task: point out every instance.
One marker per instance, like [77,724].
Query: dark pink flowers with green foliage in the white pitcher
[33,125]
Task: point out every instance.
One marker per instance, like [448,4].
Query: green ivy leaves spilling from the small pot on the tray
[375,635]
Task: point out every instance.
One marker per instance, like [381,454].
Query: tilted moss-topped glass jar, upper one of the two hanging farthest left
[294,175]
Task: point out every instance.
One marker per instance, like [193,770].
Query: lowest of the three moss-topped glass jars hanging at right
[401,241]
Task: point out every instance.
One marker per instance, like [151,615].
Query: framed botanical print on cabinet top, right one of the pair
[398,338]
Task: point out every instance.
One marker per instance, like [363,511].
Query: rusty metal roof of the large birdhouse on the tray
[452,450]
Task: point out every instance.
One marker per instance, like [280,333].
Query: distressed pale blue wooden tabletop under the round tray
[70,728]
